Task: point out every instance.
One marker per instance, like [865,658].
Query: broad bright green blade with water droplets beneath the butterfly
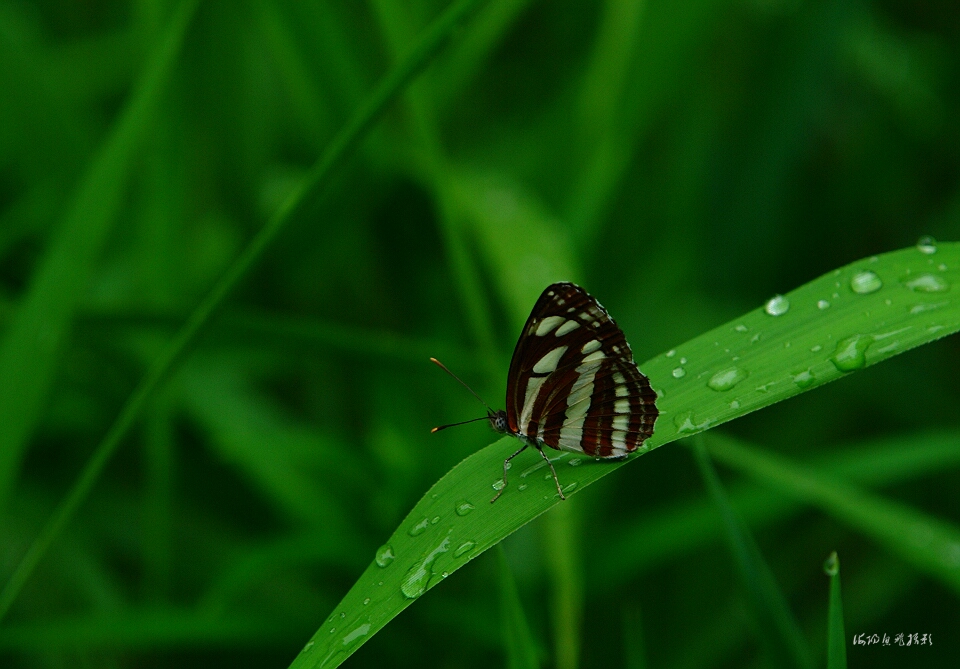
[453,523]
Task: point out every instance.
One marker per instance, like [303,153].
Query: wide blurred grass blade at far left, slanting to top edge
[30,346]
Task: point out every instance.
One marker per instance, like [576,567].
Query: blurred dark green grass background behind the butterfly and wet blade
[684,161]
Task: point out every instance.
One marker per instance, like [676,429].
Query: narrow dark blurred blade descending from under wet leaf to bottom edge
[778,628]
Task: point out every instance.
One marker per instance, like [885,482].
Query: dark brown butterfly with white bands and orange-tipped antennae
[573,384]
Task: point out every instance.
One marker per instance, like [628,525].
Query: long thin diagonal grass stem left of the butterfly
[429,44]
